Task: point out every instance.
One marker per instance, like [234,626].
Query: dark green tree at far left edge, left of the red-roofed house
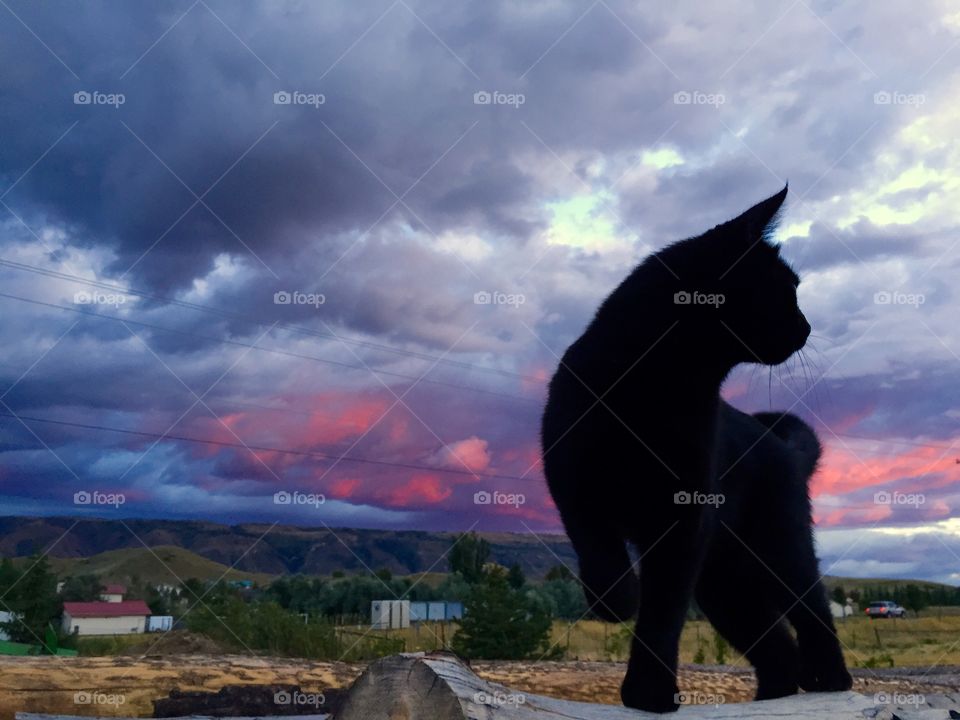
[34,602]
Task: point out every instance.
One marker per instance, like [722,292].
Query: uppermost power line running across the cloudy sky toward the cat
[238,316]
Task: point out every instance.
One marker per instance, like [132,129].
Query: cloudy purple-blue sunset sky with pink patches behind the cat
[314,262]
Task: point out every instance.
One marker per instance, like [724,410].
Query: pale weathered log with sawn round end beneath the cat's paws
[439,686]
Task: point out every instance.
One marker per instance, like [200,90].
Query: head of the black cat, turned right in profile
[736,290]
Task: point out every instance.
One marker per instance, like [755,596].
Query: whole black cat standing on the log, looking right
[639,448]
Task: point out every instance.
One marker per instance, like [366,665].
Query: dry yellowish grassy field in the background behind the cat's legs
[932,639]
